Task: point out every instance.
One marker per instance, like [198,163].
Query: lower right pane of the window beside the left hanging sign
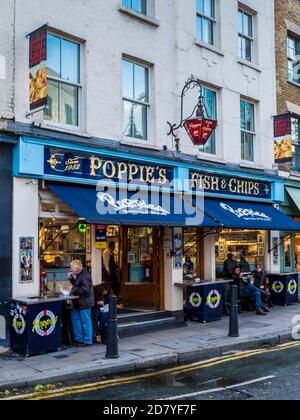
[69,104]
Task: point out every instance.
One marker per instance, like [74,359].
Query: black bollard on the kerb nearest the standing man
[112,351]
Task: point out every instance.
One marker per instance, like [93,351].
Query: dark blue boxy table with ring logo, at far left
[36,324]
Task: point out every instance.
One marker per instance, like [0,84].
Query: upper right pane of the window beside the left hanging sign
[70,61]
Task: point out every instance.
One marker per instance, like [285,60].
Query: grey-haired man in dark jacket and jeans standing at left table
[81,316]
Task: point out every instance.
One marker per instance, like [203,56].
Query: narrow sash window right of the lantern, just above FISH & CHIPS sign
[247,130]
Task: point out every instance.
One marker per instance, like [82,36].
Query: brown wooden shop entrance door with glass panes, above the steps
[142,269]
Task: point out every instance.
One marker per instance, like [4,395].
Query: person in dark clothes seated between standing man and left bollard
[102,293]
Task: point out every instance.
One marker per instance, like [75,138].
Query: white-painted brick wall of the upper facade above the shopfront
[172,51]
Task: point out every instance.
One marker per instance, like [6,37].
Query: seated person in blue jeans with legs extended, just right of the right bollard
[246,289]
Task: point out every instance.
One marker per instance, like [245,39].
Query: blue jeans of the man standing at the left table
[82,326]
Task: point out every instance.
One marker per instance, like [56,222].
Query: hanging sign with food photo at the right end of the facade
[283,145]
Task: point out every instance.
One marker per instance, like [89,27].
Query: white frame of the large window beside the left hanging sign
[60,81]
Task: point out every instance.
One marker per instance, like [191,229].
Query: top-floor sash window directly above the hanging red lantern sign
[206,20]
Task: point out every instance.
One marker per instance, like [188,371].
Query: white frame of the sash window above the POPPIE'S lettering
[147,104]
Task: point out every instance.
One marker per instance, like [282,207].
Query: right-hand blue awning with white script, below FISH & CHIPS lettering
[249,215]
